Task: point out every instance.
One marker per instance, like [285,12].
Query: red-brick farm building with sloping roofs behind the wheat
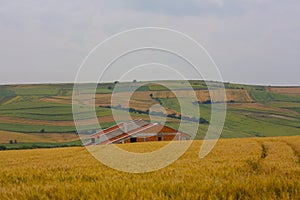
[137,131]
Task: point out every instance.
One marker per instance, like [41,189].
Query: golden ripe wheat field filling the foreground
[250,168]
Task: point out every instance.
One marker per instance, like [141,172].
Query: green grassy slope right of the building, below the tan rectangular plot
[246,122]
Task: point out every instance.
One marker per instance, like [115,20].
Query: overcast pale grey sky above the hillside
[251,41]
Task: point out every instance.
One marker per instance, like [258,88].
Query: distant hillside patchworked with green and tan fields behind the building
[43,112]
